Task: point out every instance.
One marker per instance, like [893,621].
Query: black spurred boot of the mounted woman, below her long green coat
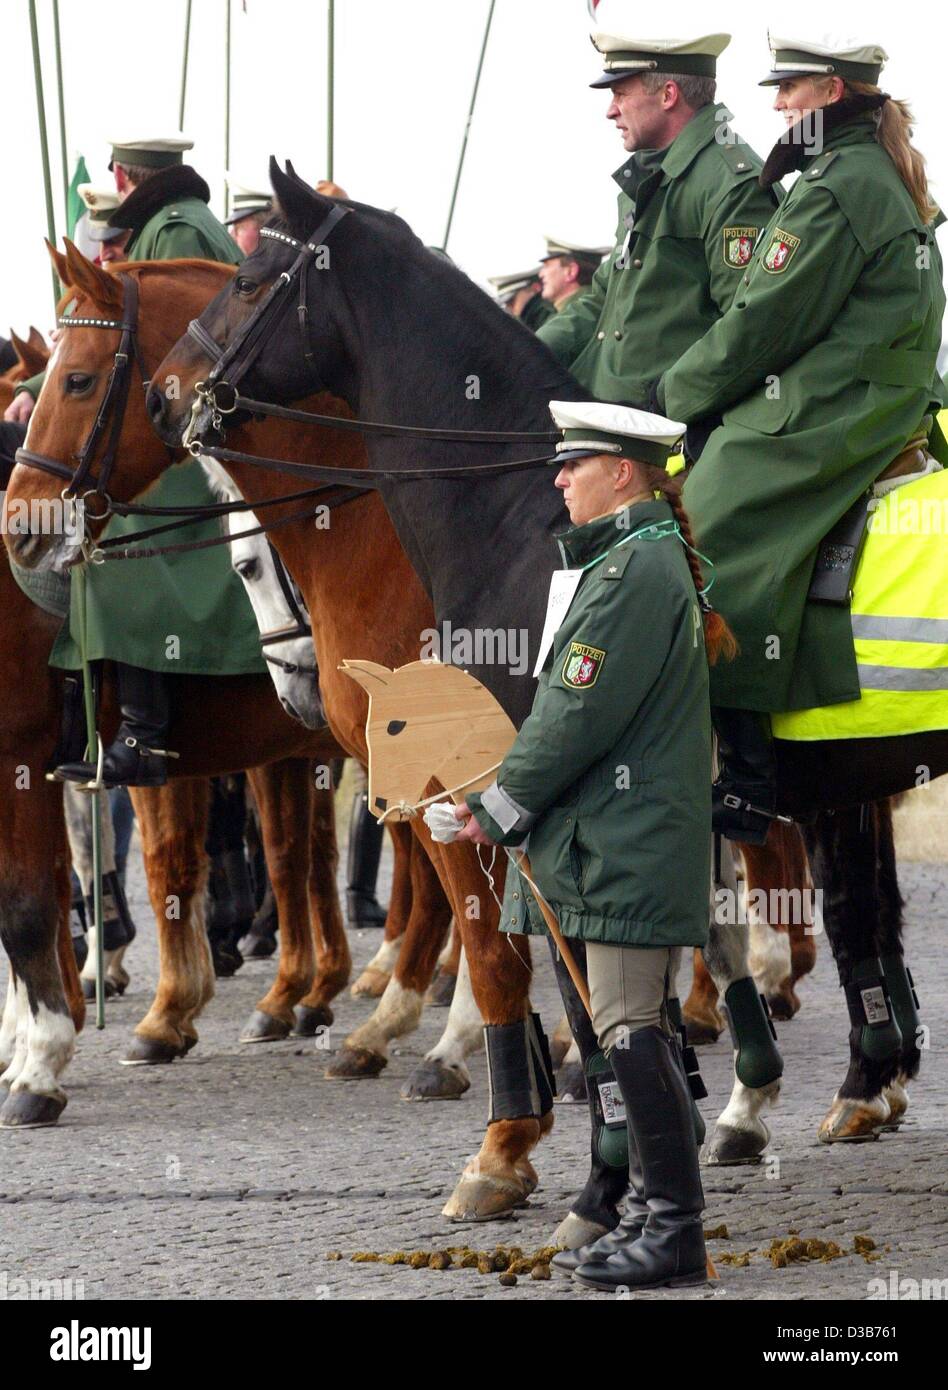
[744,799]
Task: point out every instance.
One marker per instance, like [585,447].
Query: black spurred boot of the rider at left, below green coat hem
[138,757]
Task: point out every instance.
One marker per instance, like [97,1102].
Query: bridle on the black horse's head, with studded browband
[252,336]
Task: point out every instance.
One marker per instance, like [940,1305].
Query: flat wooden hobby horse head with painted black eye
[427,722]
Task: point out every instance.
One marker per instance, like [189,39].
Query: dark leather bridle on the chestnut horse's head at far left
[112,411]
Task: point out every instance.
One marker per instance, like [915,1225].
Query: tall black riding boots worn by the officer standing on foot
[671,1250]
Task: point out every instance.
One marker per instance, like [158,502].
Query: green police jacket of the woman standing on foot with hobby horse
[611,772]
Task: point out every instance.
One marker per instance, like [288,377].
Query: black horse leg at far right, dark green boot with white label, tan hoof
[844,853]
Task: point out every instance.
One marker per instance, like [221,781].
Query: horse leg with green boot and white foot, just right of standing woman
[740,1135]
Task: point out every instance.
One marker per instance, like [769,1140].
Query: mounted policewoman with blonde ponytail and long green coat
[824,372]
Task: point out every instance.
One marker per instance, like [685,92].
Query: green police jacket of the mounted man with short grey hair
[689,220]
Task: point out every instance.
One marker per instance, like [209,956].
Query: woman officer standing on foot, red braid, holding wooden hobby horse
[611,779]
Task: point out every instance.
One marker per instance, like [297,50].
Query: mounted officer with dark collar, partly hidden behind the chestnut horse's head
[165,209]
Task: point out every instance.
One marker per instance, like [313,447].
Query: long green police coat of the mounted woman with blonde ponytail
[825,369]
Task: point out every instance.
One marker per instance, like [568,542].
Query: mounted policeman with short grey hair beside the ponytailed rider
[690,215]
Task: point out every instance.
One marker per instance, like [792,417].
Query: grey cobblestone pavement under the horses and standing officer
[234,1172]
